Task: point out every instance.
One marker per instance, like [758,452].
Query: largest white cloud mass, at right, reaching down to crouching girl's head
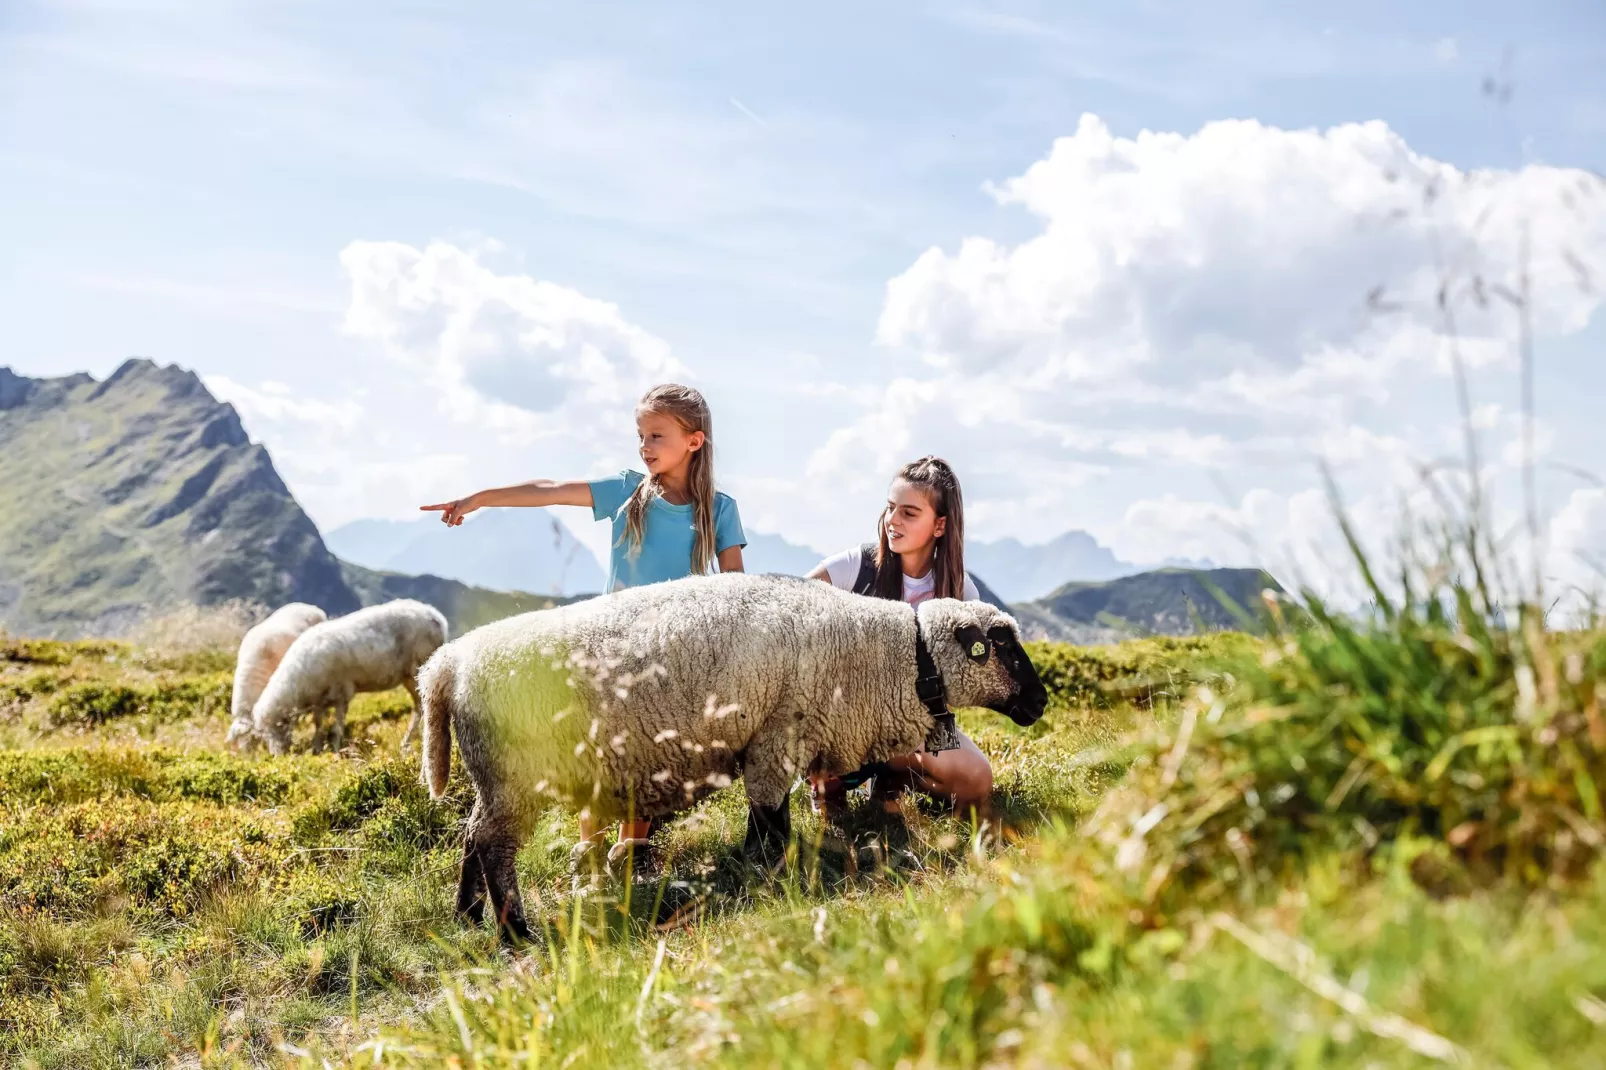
[1239,303]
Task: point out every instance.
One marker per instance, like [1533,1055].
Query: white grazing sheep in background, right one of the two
[372,650]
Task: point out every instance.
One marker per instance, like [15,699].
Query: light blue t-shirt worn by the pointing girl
[667,536]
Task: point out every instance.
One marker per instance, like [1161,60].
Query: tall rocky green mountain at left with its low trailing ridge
[144,492]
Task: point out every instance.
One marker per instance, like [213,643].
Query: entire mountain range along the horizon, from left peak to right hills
[142,492]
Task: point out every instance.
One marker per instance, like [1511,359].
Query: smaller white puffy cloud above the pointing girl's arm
[526,356]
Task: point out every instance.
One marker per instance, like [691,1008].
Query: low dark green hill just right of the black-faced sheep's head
[1165,602]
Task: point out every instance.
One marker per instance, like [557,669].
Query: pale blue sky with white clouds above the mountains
[809,214]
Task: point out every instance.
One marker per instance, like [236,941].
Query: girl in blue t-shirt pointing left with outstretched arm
[669,523]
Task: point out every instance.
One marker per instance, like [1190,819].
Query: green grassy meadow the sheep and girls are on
[1353,844]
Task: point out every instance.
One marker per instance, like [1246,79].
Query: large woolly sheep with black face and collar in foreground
[645,701]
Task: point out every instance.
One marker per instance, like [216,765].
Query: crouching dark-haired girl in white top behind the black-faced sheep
[921,555]
